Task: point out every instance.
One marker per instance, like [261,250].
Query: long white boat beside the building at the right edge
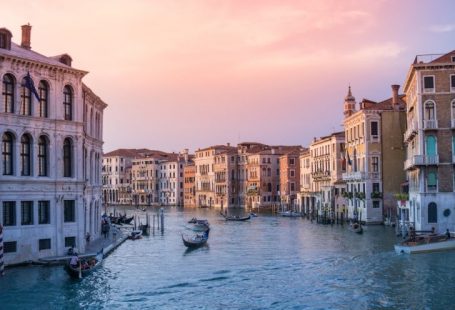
[425,243]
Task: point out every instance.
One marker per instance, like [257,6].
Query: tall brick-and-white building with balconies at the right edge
[430,142]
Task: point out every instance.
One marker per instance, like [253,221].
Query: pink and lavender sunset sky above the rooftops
[189,74]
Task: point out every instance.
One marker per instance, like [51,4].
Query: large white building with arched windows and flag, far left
[50,172]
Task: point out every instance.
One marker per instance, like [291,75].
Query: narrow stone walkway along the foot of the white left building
[116,236]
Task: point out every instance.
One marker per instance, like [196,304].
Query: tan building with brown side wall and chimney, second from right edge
[374,152]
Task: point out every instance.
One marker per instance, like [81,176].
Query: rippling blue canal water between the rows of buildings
[268,262]
